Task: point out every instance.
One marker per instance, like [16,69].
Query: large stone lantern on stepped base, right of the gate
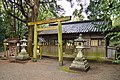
[79,63]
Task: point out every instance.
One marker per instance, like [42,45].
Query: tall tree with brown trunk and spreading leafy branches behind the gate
[27,11]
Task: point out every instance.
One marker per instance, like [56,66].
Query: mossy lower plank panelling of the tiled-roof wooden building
[92,52]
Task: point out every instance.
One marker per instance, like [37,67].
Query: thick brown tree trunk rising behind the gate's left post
[31,28]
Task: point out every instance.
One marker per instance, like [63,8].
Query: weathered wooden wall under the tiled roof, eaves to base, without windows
[90,51]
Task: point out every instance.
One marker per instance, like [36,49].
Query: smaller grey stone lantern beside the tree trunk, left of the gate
[23,54]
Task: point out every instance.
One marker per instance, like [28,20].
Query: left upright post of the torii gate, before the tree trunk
[35,44]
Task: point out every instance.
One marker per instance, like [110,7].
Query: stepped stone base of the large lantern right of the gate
[80,64]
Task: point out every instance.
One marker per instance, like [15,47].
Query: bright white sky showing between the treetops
[69,9]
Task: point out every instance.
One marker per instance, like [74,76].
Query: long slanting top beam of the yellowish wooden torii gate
[49,21]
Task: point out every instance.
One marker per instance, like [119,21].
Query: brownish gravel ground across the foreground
[48,69]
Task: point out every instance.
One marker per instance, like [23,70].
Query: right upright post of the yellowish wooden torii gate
[60,48]
